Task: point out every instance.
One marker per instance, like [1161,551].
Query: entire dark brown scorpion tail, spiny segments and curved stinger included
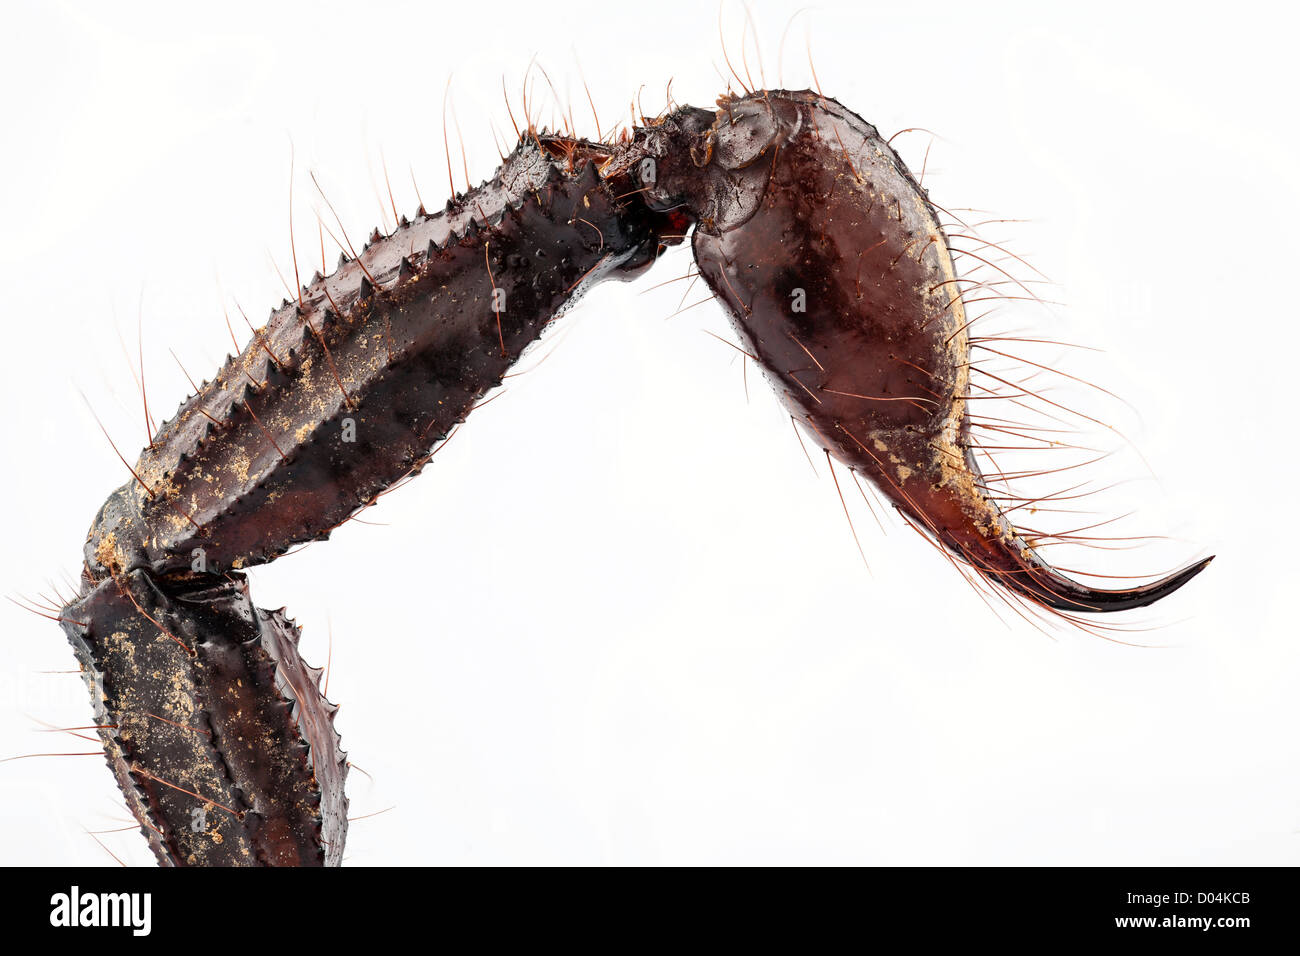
[216,730]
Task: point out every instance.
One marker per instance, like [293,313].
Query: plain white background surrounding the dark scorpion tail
[619,620]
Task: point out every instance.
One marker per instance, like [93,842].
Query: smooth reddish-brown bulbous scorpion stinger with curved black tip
[839,279]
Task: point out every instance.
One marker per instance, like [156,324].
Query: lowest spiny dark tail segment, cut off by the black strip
[215,729]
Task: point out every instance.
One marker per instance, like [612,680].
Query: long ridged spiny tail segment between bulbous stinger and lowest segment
[346,391]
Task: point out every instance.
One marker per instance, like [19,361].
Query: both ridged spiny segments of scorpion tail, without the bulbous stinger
[214,726]
